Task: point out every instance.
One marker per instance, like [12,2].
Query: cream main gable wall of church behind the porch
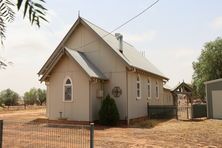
[108,62]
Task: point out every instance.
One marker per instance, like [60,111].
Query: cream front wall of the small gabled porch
[78,109]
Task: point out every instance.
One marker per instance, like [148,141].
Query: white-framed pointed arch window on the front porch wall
[67,90]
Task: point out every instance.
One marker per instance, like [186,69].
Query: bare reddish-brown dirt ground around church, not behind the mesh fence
[170,133]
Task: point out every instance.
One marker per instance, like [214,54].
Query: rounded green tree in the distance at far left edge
[9,97]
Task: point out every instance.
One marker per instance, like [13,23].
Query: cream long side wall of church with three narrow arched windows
[138,107]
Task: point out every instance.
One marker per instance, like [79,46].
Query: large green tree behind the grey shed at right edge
[208,66]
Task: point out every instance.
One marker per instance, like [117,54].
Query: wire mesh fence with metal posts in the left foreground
[47,135]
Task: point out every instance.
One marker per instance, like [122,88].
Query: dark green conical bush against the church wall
[108,114]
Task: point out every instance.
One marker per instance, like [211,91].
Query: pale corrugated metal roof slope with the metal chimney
[129,55]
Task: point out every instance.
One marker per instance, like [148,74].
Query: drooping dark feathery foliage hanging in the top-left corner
[34,9]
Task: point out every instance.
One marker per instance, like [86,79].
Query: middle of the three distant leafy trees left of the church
[30,97]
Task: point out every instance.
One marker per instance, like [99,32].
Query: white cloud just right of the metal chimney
[141,37]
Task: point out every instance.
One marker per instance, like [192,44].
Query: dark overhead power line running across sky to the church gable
[131,19]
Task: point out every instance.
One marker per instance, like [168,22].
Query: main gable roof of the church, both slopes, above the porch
[130,55]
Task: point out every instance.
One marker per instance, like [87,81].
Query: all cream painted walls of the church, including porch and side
[85,106]
